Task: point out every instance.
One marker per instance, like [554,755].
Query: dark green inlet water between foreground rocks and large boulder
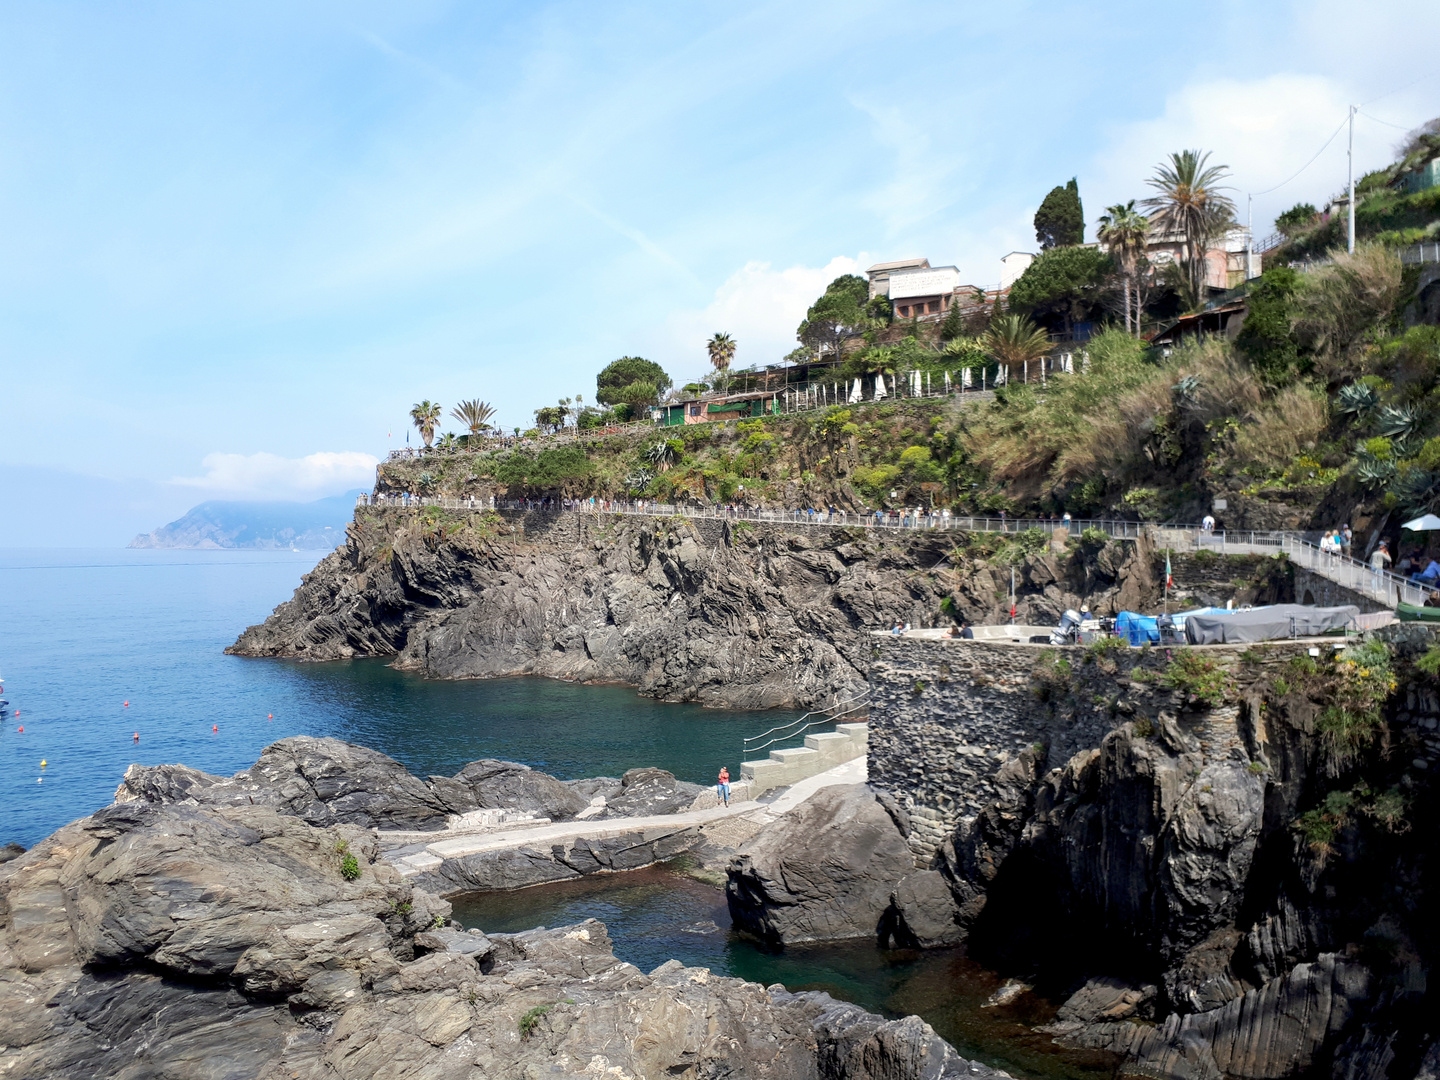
[660,914]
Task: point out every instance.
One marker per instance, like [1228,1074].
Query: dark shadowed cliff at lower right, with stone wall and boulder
[1233,879]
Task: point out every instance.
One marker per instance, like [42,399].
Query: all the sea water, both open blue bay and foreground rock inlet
[116,657]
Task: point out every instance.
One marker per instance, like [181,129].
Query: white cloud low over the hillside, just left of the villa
[760,307]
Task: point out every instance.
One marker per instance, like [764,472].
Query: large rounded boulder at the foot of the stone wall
[824,872]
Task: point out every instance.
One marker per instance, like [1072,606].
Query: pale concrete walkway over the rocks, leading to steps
[760,811]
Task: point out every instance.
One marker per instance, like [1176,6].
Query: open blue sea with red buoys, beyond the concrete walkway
[83,633]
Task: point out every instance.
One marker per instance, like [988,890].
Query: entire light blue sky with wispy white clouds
[240,241]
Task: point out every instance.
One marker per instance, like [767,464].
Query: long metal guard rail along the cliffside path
[1382,587]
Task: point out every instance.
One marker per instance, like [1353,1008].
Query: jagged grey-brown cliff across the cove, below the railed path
[728,614]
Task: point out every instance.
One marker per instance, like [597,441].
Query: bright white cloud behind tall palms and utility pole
[1265,130]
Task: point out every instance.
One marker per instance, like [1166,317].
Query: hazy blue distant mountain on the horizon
[257,525]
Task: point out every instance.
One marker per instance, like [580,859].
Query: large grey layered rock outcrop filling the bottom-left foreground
[222,938]
